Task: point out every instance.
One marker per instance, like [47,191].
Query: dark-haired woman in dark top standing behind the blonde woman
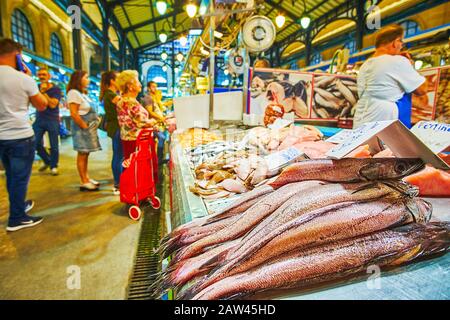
[109,96]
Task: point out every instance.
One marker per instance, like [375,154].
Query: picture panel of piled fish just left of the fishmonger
[334,97]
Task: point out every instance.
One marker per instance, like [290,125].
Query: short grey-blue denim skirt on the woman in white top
[86,140]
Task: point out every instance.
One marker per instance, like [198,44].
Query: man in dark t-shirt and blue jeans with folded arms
[48,121]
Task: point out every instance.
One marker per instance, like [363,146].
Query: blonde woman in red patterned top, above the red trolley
[131,114]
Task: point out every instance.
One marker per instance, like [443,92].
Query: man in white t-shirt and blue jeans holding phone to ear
[17,145]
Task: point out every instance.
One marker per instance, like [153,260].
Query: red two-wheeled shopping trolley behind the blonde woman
[138,180]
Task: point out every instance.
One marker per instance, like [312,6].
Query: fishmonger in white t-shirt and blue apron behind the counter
[386,81]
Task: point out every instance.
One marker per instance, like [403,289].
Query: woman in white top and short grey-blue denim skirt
[85,124]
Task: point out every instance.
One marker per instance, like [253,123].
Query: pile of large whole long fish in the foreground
[319,220]
